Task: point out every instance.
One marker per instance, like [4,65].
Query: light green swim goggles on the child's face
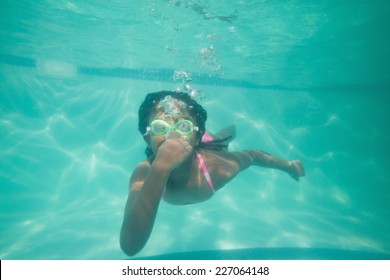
[161,127]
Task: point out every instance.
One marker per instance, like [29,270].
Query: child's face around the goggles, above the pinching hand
[160,112]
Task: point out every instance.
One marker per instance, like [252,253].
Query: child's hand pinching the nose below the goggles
[174,151]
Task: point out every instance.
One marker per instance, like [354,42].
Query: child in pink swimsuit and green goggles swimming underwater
[184,164]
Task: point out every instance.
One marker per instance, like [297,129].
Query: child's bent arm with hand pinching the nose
[147,184]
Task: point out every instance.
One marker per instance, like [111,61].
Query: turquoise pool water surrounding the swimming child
[305,80]
